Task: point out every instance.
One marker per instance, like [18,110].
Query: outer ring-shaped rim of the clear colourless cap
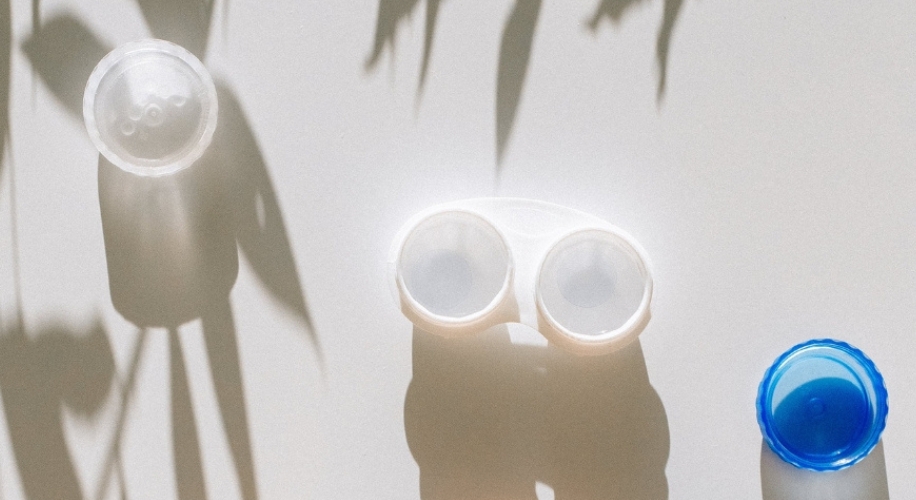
[151,169]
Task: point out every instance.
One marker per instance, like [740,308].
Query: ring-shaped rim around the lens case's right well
[625,333]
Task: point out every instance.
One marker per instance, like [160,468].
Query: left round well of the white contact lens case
[454,266]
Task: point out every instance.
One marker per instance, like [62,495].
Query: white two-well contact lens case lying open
[459,268]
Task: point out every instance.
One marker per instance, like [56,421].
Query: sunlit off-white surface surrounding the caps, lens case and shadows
[772,185]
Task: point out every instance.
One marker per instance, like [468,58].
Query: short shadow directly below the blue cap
[867,480]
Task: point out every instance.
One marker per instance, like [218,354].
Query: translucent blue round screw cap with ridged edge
[822,405]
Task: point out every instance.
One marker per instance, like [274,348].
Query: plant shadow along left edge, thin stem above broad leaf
[48,371]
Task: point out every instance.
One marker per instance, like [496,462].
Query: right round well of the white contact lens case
[591,283]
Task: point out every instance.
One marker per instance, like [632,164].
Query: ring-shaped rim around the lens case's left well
[449,321]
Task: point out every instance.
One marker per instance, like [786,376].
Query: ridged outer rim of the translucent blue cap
[855,454]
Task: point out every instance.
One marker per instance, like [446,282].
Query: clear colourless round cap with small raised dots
[150,107]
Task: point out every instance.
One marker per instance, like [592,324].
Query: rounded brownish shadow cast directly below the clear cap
[169,242]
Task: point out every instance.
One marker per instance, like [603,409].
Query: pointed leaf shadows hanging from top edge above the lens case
[515,48]
